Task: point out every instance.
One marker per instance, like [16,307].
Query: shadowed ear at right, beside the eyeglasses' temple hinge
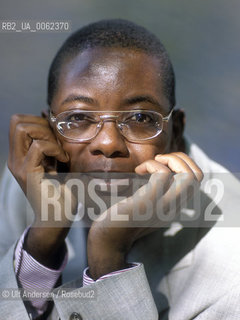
[178,125]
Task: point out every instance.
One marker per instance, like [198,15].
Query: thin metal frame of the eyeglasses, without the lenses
[107,118]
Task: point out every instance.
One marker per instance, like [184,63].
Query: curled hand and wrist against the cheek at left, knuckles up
[33,148]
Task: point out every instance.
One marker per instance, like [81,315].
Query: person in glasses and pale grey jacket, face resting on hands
[111,99]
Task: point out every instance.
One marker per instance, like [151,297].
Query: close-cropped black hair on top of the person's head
[114,33]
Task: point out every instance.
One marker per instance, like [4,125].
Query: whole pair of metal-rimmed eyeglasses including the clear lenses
[134,125]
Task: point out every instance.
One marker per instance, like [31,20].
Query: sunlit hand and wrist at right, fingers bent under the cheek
[172,176]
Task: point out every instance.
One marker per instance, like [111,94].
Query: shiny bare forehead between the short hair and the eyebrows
[110,75]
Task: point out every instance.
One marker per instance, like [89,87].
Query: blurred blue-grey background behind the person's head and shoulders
[202,38]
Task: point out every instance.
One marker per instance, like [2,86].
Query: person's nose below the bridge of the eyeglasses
[109,142]
